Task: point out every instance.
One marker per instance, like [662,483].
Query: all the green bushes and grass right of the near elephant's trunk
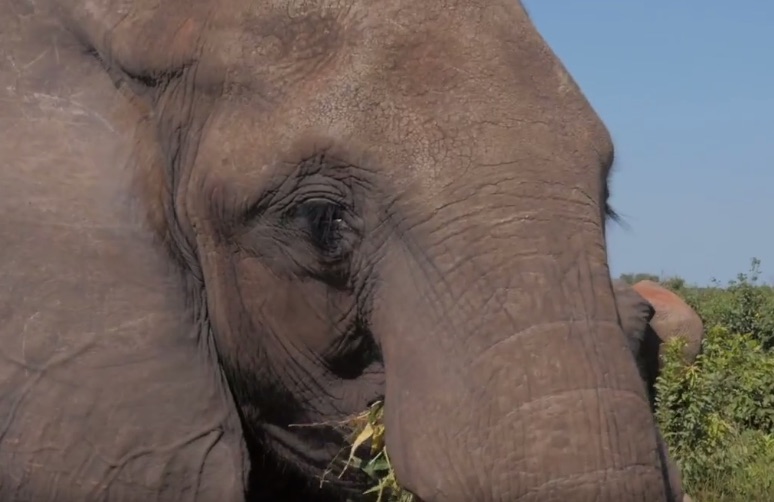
[717,414]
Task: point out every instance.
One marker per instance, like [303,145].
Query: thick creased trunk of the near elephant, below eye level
[508,377]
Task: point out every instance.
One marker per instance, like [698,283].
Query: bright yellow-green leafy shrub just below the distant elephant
[704,408]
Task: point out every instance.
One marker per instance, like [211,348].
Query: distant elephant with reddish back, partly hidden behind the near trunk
[651,315]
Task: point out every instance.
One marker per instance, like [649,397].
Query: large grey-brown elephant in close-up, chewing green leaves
[224,222]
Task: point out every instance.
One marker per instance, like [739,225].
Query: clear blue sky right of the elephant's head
[687,92]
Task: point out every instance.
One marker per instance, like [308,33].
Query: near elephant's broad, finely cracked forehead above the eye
[402,83]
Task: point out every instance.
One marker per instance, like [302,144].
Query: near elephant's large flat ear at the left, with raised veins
[110,388]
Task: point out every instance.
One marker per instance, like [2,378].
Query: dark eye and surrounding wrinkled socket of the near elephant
[310,218]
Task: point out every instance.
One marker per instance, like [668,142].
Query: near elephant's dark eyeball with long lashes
[324,223]
